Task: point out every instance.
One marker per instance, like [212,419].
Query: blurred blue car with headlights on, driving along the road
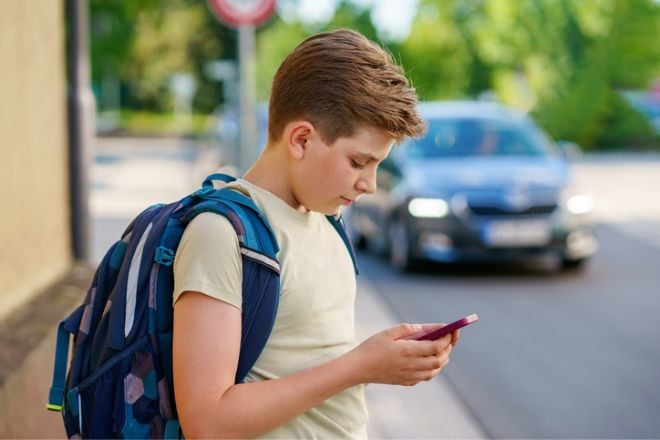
[485,184]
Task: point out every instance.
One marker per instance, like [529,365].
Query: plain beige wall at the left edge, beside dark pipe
[34,205]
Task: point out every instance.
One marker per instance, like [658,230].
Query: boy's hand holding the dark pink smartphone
[393,357]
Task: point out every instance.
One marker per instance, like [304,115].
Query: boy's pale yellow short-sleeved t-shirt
[315,318]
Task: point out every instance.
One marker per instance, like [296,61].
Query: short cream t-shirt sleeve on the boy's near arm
[208,260]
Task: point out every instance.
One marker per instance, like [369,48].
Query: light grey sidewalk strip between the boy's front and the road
[427,410]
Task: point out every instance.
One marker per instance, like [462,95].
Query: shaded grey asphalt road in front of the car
[554,355]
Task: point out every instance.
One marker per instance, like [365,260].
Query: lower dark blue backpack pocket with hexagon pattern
[126,387]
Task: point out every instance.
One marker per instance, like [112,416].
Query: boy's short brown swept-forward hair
[339,81]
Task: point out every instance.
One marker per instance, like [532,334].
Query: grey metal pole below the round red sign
[248,119]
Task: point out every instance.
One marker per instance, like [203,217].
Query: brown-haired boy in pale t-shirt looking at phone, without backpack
[338,103]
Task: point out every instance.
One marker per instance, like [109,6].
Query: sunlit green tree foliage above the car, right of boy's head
[562,59]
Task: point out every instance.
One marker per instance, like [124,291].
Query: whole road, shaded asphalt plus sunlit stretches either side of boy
[555,355]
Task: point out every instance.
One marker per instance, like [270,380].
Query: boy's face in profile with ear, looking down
[330,176]
